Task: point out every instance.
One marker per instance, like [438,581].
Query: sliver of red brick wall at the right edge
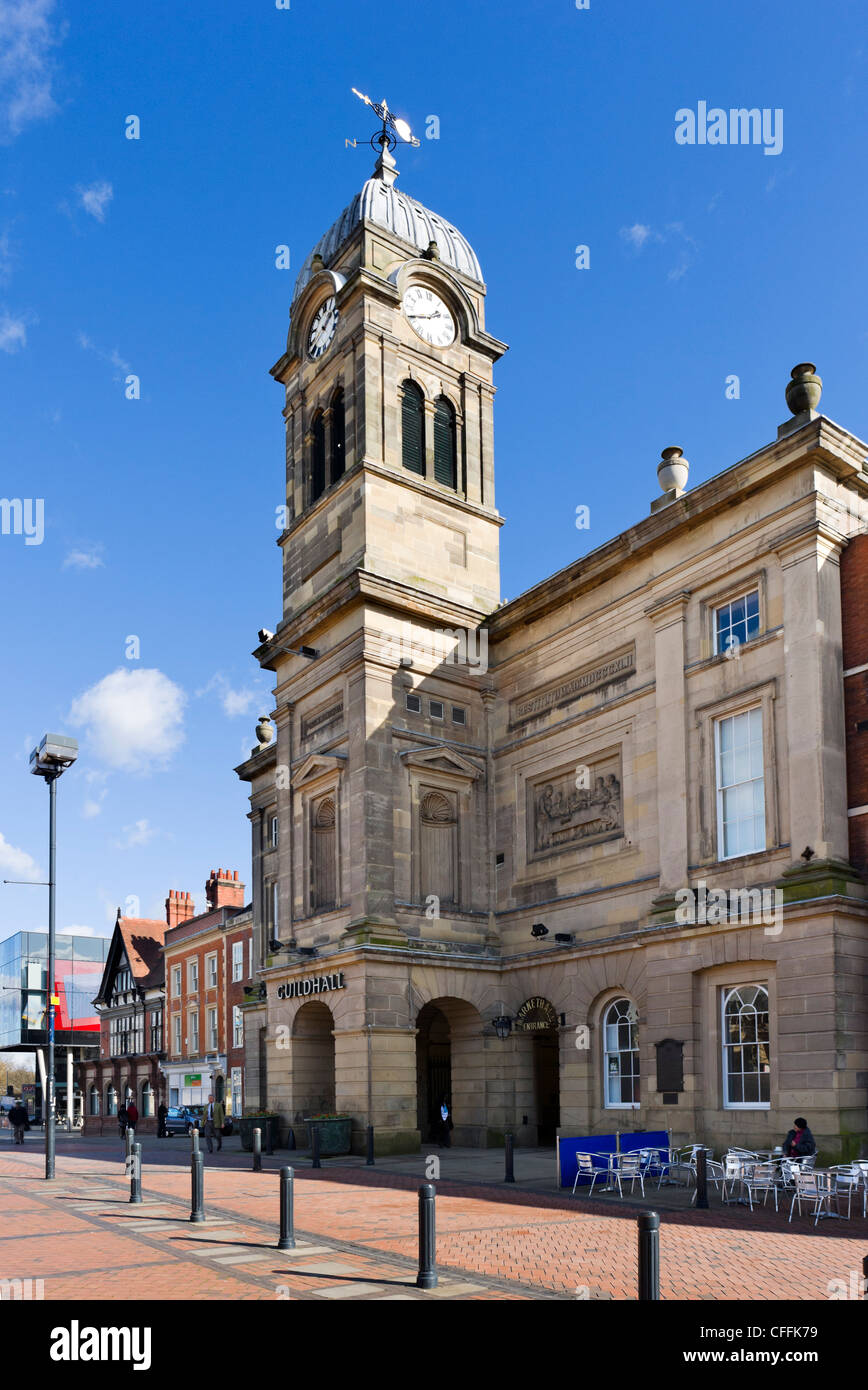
[855,633]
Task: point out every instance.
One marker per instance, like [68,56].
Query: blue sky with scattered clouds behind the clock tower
[156,258]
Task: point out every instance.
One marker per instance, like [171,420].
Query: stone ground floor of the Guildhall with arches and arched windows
[714,1033]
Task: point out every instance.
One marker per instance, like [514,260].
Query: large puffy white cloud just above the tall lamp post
[134,719]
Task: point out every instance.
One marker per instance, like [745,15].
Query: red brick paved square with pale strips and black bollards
[357,1232]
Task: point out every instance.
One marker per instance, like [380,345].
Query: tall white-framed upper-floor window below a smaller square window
[741,785]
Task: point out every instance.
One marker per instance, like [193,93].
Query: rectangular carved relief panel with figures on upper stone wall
[577,808]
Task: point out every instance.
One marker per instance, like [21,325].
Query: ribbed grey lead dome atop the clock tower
[382,204]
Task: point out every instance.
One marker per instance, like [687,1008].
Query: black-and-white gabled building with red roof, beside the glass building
[130,1006]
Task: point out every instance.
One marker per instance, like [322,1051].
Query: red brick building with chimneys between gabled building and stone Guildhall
[208,967]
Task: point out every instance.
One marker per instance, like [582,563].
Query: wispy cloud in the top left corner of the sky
[27,40]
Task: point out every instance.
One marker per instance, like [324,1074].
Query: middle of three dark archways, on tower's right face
[450,1064]
